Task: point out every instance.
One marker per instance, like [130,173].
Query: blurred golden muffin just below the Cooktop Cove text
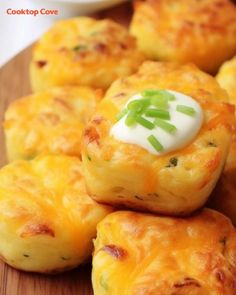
[83,51]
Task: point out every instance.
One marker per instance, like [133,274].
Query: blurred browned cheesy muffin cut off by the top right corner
[202,32]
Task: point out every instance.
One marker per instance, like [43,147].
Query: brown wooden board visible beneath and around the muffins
[14,83]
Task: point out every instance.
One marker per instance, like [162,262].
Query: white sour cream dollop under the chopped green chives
[187,127]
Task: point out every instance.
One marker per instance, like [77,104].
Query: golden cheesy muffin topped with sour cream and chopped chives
[158,140]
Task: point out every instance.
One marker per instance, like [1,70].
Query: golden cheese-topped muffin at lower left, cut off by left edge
[47,220]
